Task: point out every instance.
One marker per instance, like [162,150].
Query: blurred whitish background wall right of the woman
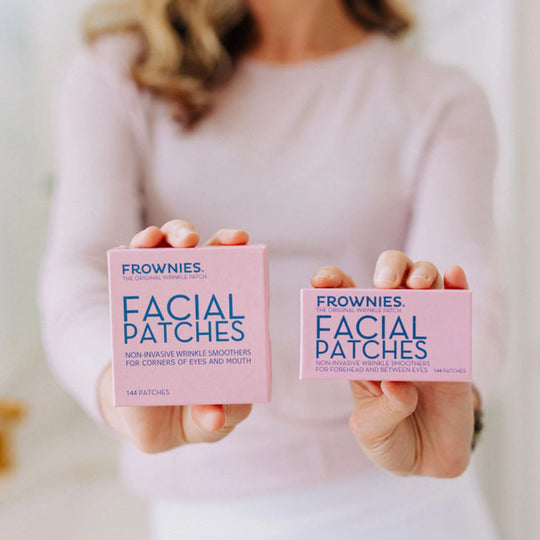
[498,42]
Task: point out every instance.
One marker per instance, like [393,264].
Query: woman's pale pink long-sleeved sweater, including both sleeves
[327,162]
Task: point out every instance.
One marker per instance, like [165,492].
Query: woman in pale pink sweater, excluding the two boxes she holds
[306,124]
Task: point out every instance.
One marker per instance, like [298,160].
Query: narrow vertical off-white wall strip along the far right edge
[527,100]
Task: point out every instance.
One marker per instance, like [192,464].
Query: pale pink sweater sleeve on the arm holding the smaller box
[452,219]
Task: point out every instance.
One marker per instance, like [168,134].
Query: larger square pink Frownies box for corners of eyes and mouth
[190,326]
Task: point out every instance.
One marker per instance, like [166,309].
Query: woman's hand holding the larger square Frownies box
[157,429]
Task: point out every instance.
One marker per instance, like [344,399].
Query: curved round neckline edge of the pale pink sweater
[358,49]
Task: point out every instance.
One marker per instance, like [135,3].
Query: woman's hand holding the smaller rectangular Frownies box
[422,428]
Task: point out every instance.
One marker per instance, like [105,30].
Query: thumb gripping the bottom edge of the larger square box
[210,423]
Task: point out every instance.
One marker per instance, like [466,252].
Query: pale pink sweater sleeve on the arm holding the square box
[96,205]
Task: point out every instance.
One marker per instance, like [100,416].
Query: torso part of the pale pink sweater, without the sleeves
[319,161]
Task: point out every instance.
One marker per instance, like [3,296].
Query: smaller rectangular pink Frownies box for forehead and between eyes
[382,334]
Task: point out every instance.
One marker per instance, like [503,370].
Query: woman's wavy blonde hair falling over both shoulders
[190,47]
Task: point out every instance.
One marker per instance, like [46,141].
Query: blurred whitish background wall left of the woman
[66,484]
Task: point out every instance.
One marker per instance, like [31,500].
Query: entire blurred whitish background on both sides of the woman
[65,483]
